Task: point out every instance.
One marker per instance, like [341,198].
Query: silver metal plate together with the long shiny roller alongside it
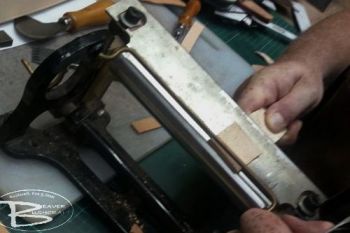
[173,75]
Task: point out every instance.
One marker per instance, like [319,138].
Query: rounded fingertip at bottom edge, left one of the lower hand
[262,221]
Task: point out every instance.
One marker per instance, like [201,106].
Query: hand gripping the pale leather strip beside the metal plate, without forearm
[288,90]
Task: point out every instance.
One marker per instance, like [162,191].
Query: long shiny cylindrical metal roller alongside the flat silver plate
[136,79]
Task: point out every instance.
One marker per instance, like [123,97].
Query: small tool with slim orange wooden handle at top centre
[185,20]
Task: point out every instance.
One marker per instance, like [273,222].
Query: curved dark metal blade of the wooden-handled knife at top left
[33,29]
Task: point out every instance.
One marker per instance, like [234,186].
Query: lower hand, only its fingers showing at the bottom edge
[262,221]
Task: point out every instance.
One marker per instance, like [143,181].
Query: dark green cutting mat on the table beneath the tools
[172,167]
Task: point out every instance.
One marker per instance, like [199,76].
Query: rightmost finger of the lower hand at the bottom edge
[301,226]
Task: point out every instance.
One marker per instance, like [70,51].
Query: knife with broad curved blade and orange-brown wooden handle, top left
[92,15]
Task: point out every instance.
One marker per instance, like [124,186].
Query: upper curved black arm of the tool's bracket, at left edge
[34,101]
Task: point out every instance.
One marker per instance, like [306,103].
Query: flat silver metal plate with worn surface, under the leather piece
[194,89]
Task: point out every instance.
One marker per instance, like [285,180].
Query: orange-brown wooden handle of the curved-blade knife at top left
[92,15]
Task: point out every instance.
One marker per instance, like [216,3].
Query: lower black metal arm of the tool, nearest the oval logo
[53,147]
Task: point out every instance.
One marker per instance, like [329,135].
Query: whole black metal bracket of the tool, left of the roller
[85,119]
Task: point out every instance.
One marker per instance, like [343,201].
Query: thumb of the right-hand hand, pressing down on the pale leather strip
[301,98]
